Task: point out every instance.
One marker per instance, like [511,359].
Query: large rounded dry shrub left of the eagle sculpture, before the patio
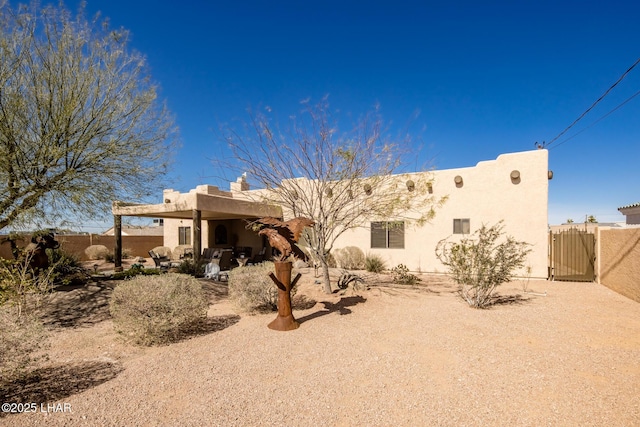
[154,310]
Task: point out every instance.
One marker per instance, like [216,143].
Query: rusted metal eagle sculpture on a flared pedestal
[283,236]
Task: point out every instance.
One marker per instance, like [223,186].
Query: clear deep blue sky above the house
[471,80]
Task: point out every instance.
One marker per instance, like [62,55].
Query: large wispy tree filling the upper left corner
[80,122]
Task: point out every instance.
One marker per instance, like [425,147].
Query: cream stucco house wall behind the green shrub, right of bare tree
[487,196]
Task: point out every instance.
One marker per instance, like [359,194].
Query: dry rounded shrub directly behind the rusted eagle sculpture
[252,290]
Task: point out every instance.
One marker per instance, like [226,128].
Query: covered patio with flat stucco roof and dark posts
[205,217]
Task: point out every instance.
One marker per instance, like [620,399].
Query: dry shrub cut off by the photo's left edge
[22,341]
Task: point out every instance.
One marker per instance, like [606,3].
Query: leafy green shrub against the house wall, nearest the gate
[482,262]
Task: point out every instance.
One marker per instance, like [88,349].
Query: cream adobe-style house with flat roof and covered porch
[512,188]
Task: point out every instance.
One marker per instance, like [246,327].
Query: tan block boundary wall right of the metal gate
[619,261]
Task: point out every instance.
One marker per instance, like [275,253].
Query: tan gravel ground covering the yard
[381,357]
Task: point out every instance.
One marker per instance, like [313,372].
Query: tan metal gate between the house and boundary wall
[572,255]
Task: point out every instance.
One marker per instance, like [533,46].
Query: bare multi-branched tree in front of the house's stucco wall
[340,180]
